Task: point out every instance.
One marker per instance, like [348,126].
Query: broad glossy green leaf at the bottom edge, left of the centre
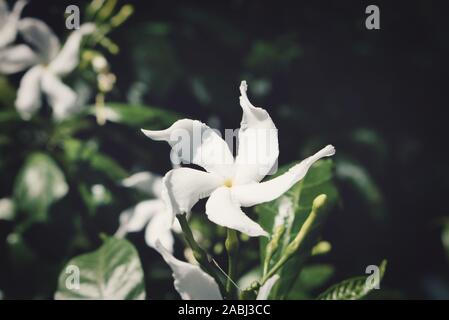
[111,272]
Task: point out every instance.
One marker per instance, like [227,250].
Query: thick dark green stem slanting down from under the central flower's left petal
[199,253]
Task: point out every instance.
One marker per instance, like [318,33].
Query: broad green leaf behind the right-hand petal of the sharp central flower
[292,209]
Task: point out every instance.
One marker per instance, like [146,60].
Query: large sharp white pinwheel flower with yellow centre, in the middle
[229,183]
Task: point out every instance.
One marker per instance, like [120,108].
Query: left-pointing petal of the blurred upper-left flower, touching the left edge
[16,58]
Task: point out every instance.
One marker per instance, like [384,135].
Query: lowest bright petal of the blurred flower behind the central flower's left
[159,229]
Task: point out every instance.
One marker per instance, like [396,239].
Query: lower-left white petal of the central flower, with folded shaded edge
[183,187]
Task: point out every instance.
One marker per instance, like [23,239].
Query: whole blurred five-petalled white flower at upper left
[48,62]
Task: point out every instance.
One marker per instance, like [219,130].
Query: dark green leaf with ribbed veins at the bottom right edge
[354,288]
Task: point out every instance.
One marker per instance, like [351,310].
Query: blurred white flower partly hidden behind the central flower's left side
[150,213]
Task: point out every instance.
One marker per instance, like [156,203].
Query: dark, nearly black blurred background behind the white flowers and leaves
[379,96]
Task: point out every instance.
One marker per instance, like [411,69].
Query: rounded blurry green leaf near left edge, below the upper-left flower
[39,183]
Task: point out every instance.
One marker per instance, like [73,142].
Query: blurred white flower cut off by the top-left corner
[9,22]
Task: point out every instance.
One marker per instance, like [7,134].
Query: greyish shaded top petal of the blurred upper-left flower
[40,36]
